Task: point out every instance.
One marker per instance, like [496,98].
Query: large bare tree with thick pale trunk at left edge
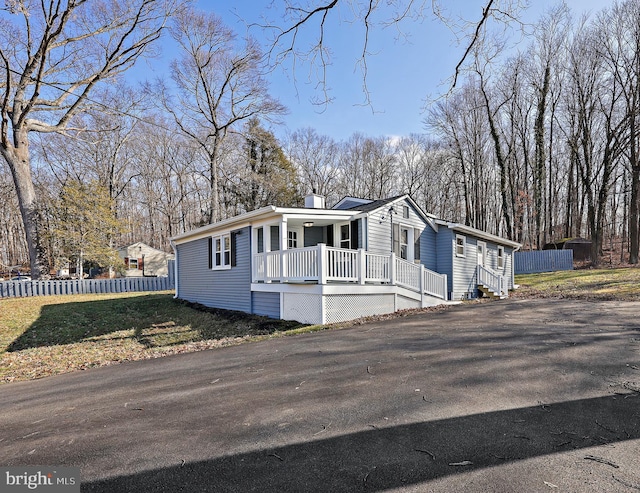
[52,56]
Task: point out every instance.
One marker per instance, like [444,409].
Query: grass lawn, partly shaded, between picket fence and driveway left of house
[43,336]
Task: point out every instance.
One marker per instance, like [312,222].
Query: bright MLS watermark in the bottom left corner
[49,479]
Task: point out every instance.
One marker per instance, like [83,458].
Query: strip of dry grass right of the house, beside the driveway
[588,284]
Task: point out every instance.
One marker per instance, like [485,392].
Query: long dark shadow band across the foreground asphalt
[393,457]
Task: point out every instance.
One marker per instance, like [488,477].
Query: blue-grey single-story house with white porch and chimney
[318,265]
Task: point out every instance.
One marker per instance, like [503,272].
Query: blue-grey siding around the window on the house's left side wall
[229,289]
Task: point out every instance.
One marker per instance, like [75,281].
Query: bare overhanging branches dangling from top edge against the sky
[365,17]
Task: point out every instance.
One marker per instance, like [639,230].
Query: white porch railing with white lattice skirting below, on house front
[321,284]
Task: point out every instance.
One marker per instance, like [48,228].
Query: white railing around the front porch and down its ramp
[321,264]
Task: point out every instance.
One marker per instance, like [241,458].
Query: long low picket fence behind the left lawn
[14,289]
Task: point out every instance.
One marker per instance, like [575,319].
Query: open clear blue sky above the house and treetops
[402,74]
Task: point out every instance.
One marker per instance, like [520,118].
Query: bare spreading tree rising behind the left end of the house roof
[219,84]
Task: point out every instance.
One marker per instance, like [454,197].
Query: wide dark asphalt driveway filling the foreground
[503,396]
